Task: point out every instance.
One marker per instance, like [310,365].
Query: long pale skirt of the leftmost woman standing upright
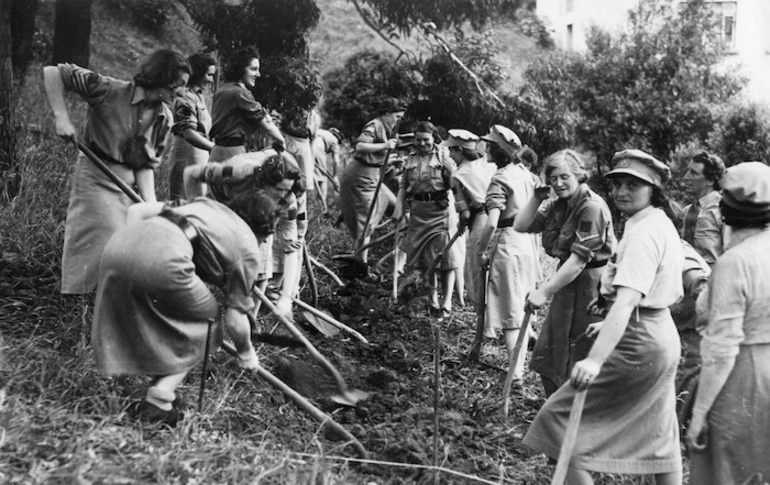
[97,209]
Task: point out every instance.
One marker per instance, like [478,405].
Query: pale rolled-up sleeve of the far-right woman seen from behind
[724,333]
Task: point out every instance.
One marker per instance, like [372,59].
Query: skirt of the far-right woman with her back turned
[738,441]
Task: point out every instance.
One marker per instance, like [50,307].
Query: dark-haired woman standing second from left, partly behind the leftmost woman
[190,144]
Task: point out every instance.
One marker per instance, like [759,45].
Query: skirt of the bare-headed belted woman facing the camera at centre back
[429,230]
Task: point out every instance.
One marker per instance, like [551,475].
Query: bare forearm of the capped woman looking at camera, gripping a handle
[586,370]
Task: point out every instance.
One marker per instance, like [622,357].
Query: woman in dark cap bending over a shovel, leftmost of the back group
[358,181]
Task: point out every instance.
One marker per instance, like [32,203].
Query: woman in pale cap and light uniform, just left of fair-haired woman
[513,262]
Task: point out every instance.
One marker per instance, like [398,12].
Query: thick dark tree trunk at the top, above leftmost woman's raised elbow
[72,32]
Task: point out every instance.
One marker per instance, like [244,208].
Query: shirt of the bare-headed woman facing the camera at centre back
[424,174]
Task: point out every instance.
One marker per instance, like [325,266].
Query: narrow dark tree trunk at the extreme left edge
[9,174]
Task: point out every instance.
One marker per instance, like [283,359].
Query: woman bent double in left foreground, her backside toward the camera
[153,306]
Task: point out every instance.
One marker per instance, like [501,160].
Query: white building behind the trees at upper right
[745,28]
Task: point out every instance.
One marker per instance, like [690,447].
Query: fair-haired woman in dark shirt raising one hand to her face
[577,230]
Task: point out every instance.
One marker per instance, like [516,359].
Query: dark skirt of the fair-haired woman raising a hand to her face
[562,340]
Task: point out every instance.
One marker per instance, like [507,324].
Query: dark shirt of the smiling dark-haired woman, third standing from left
[234,112]
